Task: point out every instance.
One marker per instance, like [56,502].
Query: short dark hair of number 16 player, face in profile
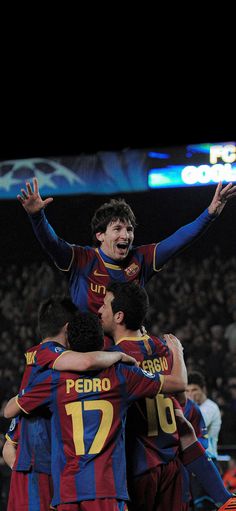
[132,300]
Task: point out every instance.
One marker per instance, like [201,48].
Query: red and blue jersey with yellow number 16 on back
[152,435]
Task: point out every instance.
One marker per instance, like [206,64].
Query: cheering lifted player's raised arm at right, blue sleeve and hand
[184,236]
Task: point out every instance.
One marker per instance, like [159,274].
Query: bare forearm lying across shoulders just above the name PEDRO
[94,360]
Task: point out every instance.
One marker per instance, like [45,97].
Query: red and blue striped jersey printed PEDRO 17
[88,427]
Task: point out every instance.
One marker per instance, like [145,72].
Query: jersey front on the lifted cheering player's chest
[92,271]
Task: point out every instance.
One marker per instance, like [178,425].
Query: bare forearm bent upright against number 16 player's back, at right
[177,380]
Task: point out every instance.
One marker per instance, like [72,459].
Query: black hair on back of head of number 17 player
[85,332]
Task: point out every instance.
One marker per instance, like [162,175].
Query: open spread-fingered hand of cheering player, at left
[31,200]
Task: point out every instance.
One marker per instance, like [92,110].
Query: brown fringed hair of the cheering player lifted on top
[115,209]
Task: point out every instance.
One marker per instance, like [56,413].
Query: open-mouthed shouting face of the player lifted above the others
[117,239]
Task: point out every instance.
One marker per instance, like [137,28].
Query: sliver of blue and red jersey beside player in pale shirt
[194,415]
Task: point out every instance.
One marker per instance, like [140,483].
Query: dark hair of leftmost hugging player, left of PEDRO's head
[53,314]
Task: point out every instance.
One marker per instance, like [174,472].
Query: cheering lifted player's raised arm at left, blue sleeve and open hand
[59,250]
